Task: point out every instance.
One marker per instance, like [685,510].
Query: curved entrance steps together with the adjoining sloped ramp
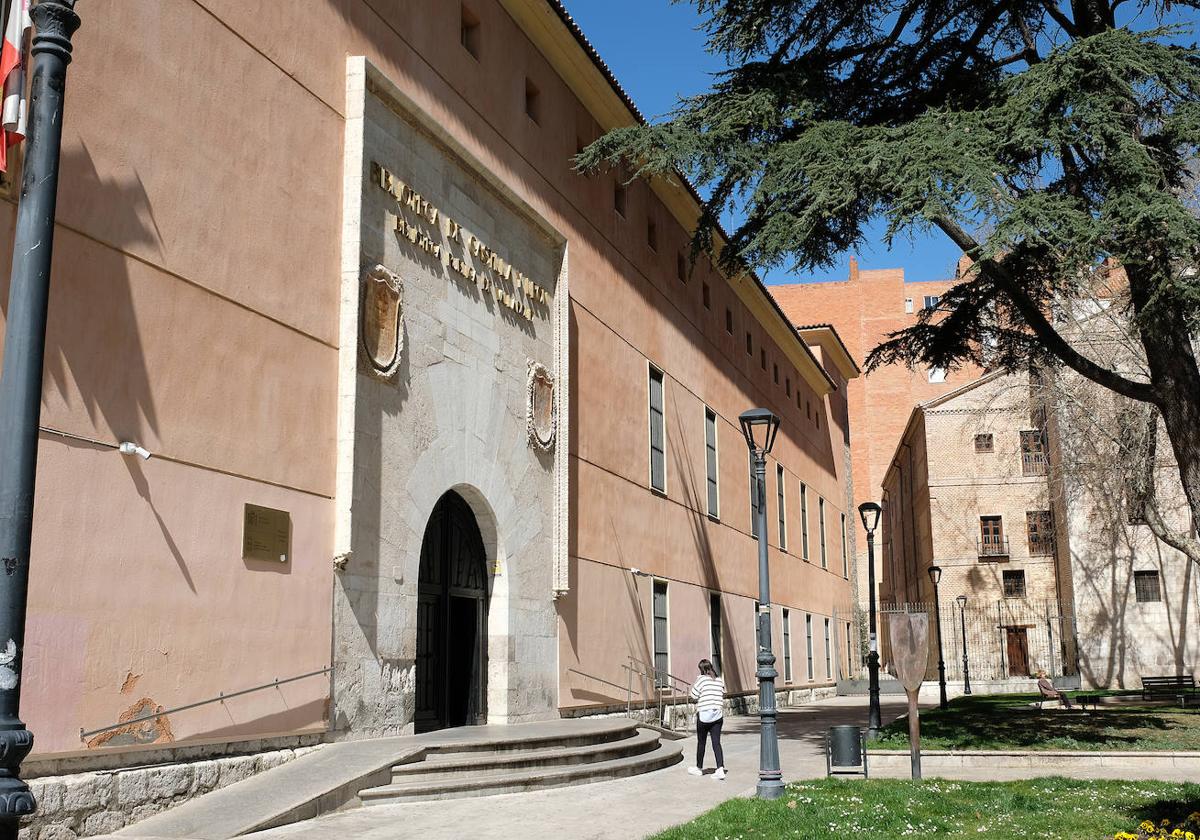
[463,763]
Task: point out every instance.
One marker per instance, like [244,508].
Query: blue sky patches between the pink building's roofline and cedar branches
[658,53]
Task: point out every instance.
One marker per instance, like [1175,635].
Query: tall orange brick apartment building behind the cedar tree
[865,310]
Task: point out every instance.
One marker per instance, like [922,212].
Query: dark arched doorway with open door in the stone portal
[452,620]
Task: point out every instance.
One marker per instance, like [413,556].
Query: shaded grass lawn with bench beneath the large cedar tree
[1006,722]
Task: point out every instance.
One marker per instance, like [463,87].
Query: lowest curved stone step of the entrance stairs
[465,784]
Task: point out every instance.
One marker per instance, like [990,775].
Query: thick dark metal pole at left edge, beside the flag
[21,383]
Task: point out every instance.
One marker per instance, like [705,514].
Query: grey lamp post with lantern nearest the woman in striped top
[760,427]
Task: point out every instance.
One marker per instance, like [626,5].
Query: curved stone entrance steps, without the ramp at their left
[525,764]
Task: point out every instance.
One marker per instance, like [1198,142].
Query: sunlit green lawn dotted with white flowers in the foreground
[1047,809]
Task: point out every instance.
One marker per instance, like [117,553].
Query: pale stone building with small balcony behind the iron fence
[969,491]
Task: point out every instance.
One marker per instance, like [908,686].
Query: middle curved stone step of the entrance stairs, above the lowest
[639,742]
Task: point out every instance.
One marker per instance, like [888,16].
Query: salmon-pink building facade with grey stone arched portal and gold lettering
[442,431]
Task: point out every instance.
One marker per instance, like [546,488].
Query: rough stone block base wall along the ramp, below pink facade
[88,805]
